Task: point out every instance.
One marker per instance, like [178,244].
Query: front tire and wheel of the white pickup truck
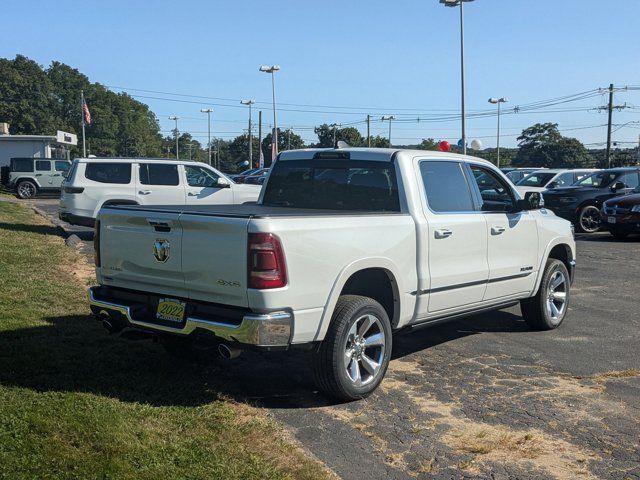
[537,310]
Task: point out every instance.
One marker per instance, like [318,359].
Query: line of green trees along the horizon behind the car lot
[38,101]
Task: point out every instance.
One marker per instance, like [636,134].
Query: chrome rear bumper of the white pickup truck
[261,330]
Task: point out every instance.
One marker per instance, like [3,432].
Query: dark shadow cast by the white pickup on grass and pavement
[74,353]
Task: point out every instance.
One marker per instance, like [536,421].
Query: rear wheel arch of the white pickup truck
[376,278]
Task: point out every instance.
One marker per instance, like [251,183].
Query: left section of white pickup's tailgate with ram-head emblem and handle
[142,250]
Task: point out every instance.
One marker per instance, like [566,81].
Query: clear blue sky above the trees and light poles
[378,57]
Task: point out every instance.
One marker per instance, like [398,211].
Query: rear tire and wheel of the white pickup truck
[329,362]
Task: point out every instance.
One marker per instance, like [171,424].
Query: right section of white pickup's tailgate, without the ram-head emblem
[214,260]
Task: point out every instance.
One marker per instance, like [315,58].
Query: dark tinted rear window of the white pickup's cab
[333,185]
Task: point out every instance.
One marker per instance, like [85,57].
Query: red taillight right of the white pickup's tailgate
[266,264]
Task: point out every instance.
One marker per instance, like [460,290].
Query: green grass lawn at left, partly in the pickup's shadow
[78,403]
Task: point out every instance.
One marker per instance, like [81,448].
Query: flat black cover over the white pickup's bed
[248,210]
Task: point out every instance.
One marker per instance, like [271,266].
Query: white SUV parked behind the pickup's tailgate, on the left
[95,182]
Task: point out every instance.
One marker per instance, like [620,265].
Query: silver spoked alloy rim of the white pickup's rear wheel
[364,349]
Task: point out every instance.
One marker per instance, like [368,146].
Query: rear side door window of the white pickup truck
[446,187]
